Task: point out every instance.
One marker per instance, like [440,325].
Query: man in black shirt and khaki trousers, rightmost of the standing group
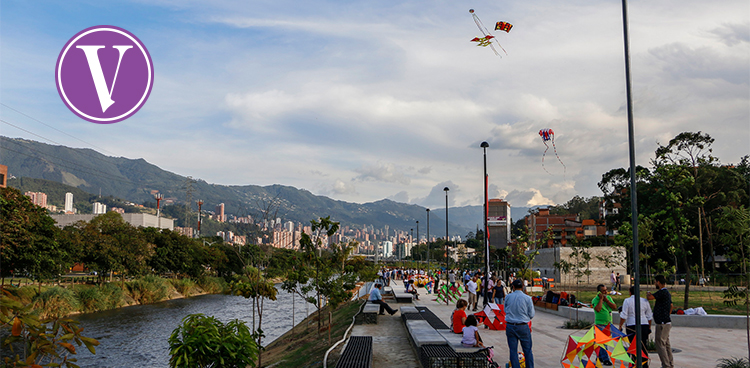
[663,321]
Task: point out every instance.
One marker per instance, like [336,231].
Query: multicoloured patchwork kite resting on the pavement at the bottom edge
[582,351]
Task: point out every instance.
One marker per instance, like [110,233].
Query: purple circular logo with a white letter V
[104,74]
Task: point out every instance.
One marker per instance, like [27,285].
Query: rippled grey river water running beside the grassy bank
[137,336]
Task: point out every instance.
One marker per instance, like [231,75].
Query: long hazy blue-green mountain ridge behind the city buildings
[135,180]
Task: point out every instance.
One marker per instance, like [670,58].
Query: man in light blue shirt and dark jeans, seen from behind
[519,310]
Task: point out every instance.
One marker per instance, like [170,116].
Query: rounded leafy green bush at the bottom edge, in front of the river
[203,341]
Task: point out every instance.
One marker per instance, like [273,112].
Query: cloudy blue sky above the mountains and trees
[365,100]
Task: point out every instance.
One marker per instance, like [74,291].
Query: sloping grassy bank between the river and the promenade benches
[306,347]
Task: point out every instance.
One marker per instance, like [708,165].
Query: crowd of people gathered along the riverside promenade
[519,309]
